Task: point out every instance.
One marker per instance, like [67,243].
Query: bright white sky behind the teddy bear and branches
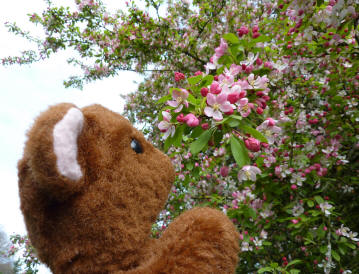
[25,91]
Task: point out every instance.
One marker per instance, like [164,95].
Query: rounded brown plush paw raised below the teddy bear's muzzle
[202,240]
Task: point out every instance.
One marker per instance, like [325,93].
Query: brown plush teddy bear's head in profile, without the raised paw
[91,186]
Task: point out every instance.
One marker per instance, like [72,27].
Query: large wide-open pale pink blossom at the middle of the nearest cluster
[217,105]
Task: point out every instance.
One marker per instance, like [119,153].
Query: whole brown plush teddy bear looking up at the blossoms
[91,186]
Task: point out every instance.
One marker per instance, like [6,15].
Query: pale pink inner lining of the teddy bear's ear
[65,136]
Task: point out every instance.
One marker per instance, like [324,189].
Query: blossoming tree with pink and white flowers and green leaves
[258,105]
